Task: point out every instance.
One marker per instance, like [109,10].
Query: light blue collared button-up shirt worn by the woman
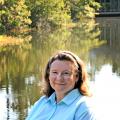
[72,107]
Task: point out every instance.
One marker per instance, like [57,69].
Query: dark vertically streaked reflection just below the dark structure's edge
[110,30]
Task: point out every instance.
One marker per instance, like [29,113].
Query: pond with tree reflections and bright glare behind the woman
[22,67]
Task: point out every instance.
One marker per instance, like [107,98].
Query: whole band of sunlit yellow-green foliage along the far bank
[17,14]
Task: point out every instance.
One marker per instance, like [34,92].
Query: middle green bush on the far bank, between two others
[49,12]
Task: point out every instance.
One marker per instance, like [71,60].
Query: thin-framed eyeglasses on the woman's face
[64,74]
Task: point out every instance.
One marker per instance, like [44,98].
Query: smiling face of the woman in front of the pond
[62,76]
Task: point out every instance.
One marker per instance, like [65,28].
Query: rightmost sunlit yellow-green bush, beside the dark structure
[83,8]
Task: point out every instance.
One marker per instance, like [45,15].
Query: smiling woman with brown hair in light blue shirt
[66,90]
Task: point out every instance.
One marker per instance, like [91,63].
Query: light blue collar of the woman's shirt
[68,99]
